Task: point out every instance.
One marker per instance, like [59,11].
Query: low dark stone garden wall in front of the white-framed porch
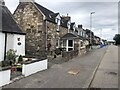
[69,55]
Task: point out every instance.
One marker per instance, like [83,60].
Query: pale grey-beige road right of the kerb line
[107,73]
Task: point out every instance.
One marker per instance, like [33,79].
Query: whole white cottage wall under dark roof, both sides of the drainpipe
[12,43]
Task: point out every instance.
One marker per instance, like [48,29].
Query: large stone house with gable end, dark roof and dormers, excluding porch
[43,28]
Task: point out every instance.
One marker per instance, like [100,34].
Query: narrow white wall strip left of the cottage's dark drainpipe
[2,44]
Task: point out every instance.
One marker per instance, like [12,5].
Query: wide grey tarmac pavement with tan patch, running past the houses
[76,73]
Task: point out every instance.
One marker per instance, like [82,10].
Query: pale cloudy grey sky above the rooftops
[104,20]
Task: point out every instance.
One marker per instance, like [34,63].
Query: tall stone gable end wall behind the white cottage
[31,22]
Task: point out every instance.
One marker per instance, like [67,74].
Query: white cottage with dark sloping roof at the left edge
[11,35]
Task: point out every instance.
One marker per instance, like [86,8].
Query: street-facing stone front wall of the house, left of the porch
[53,35]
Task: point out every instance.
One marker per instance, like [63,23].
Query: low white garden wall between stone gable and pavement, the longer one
[34,67]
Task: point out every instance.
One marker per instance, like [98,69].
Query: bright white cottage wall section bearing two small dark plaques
[20,48]
